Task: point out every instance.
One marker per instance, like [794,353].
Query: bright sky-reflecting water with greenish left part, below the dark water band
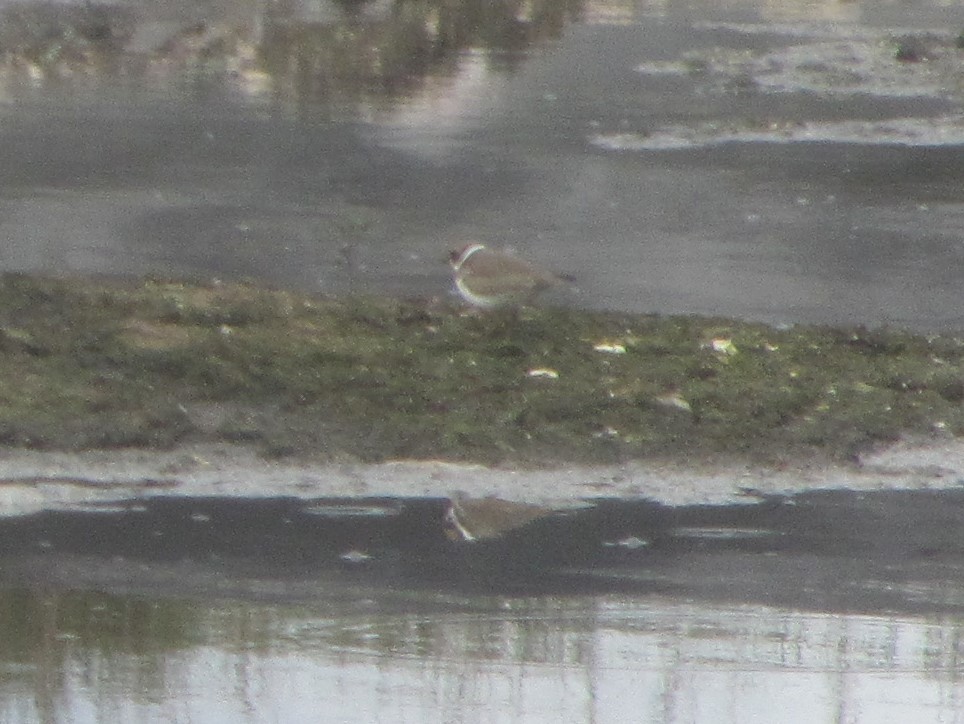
[603,660]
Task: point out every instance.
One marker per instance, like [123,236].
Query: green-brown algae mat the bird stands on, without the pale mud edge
[102,364]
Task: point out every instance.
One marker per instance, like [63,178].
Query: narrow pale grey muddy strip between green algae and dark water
[31,481]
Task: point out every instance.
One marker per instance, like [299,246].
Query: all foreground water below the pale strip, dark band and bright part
[829,605]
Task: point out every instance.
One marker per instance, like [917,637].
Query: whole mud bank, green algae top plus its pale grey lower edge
[164,387]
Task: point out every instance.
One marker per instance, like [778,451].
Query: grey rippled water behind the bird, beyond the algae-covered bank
[766,160]
